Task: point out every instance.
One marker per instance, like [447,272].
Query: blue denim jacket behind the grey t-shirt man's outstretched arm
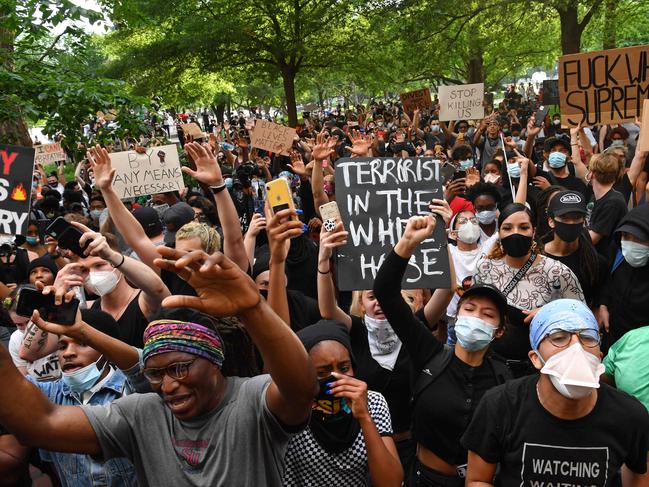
[75,470]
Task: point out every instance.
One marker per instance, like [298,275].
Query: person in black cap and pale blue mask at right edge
[624,297]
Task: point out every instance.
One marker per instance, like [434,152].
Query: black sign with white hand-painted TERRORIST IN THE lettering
[376,196]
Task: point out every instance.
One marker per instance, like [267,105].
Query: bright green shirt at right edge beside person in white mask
[628,363]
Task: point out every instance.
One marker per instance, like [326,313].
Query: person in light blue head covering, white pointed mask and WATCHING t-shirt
[561,427]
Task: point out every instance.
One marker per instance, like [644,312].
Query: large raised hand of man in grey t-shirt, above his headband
[222,288]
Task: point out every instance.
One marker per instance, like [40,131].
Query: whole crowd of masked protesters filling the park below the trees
[212,346]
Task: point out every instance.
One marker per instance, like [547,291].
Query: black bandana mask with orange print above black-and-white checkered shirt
[332,424]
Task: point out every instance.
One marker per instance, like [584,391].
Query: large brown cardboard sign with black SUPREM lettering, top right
[603,87]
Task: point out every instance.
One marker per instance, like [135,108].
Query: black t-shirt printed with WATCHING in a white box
[511,427]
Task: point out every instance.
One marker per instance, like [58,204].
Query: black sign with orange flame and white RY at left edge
[17,166]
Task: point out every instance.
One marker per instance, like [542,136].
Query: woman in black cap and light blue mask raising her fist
[460,374]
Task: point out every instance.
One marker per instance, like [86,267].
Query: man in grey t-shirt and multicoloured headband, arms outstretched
[201,428]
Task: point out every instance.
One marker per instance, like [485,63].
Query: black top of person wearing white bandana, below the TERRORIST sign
[395,385]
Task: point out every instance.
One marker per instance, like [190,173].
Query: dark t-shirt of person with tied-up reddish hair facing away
[604,215]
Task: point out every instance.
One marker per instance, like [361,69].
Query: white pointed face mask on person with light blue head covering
[574,372]
